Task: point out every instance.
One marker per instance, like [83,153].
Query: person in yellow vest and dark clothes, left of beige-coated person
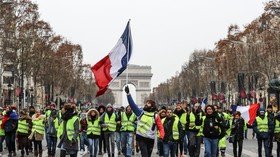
[23,131]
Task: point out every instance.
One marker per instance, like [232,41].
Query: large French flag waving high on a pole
[112,65]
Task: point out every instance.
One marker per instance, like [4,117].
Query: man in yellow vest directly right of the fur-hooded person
[108,122]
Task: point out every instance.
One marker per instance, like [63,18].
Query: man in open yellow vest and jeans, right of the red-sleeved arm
[173,133]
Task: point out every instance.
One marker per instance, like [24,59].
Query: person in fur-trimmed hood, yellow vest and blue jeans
[93,131]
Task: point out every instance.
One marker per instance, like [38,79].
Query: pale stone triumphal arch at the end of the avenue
[140,77]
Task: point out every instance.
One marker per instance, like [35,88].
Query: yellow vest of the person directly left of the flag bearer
[128,124]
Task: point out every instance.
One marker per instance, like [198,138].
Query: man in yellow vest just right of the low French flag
[262,128]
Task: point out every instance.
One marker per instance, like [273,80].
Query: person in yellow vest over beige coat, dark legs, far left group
[37,134]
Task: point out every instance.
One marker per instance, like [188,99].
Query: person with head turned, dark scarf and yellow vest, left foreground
[68,131]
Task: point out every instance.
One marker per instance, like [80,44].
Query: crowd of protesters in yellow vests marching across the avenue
[179,131]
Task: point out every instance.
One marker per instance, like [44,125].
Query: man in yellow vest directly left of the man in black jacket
[192,131]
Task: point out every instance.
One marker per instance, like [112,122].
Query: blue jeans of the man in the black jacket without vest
[211,147]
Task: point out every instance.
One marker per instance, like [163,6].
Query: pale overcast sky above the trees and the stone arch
[165,32]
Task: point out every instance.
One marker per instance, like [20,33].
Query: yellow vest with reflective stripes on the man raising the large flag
[145,123]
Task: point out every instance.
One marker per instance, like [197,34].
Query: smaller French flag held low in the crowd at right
[248,113]
